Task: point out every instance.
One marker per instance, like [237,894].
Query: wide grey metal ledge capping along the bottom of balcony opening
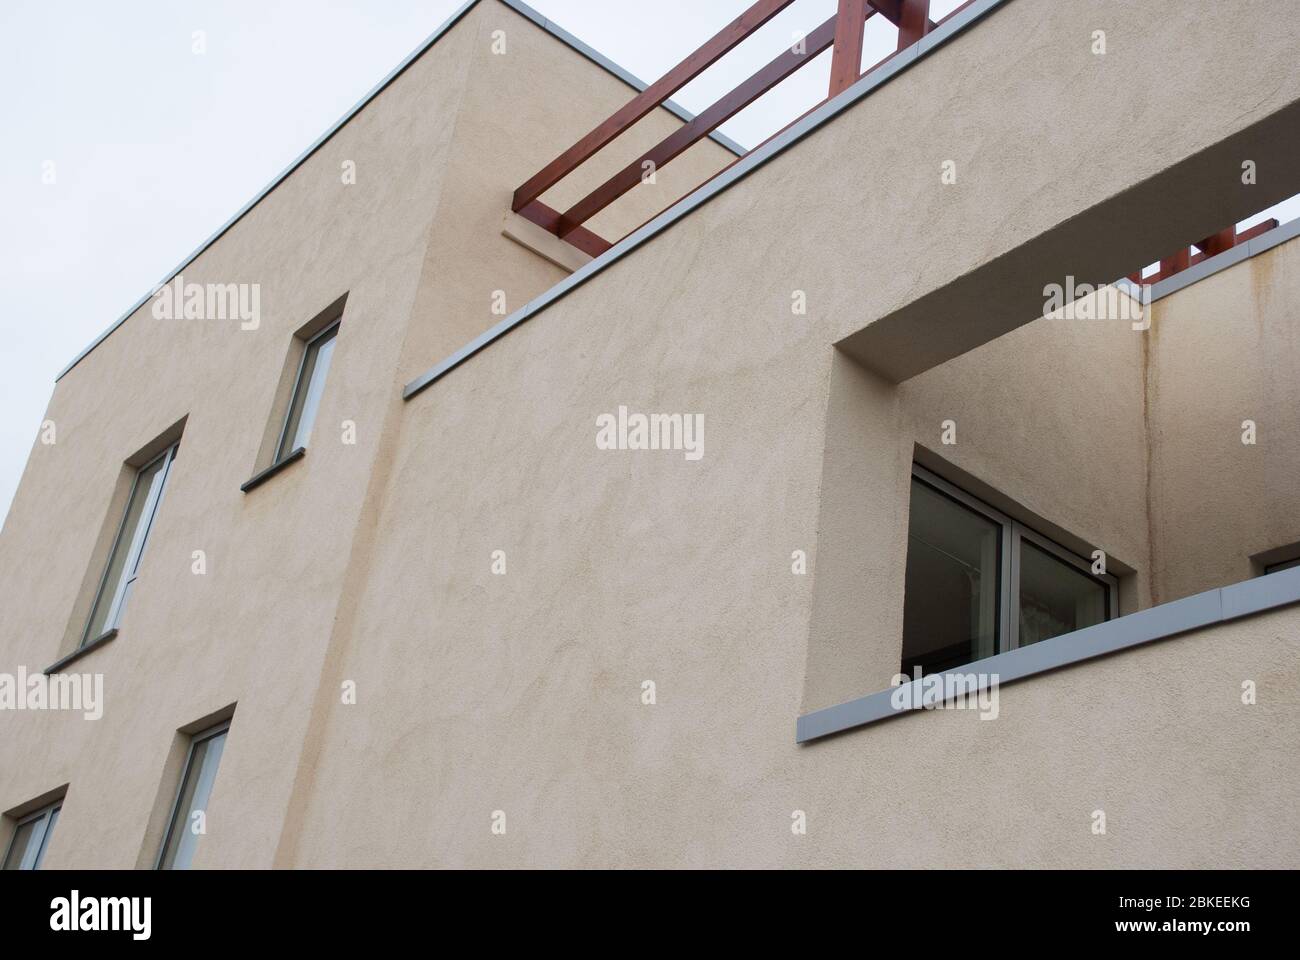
[1162,622]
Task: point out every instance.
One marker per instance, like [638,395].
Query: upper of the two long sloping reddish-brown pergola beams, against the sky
[652,97]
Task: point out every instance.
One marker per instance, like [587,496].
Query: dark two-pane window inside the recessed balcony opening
[980,583]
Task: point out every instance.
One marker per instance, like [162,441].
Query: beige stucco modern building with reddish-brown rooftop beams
[532,477]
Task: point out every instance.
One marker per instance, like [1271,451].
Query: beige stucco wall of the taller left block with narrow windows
[257,628]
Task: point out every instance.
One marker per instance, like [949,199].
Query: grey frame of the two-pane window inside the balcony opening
[1013,535]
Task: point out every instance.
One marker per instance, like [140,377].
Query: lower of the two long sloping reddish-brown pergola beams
[684,137]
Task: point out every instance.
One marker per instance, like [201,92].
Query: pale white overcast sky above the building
[155,148]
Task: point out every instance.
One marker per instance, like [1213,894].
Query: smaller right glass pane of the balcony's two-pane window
[1056,598]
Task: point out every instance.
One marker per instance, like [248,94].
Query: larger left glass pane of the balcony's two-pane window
[952,590]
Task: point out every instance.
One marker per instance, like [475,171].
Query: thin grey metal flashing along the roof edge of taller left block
[525,11]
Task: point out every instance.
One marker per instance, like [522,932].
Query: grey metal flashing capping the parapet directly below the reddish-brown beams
[735,174]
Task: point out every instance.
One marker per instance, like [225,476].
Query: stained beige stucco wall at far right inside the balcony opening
[1224,352]
